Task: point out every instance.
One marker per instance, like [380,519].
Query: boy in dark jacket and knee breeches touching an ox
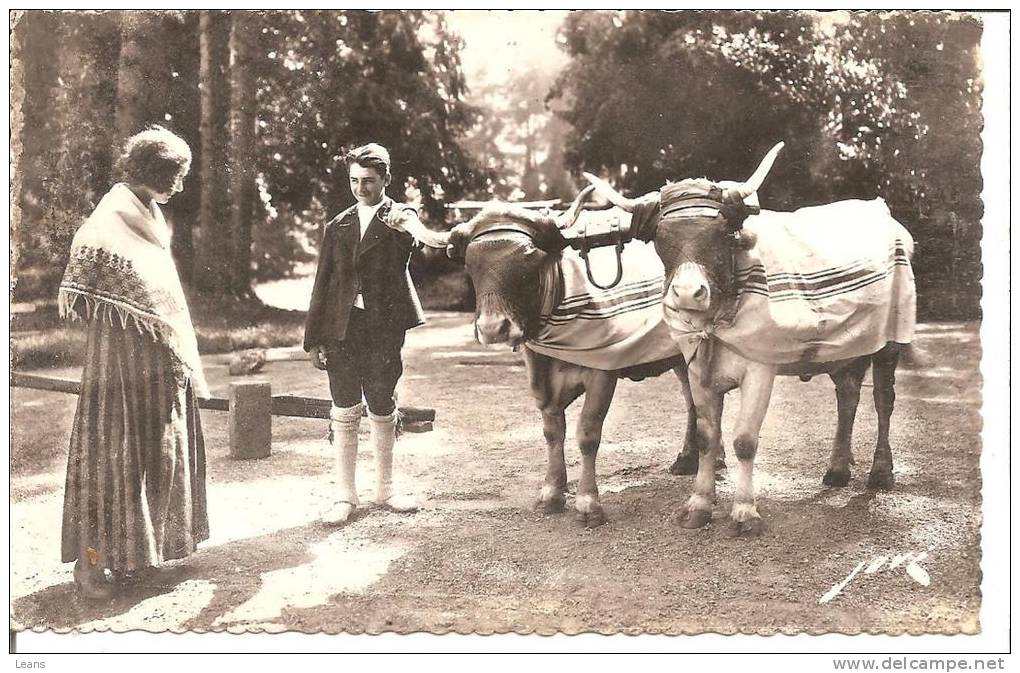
[363,304]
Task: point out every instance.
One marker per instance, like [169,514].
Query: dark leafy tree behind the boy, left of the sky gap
[332,81]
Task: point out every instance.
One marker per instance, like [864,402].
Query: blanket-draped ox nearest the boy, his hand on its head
[576,338]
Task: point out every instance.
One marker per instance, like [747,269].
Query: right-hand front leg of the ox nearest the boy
[598,396]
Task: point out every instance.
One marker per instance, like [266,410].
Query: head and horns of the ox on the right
[699,232]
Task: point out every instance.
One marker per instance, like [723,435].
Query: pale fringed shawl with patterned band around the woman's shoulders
[121,270]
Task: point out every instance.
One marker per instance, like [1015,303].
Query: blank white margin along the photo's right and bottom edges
[997,594]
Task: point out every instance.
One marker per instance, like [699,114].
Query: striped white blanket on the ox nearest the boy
[611,329]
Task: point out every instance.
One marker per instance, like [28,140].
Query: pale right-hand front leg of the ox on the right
[756,390]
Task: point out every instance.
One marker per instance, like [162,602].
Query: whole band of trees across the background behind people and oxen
[870,105]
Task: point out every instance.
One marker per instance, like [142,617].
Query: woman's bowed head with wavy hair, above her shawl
[156,159]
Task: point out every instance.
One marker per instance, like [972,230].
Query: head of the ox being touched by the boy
[506,249]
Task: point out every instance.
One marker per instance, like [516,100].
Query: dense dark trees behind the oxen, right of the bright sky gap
[870,105]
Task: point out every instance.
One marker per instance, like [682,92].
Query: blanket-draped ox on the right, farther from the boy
[794,294]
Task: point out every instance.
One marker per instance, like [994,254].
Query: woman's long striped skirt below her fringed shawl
[136,471]
